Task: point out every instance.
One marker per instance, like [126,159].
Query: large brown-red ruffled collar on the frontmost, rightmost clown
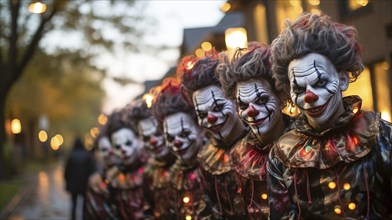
[351,137]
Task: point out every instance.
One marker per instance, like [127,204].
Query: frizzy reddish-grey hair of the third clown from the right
[201,74]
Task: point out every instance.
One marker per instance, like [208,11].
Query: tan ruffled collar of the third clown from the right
[215,156]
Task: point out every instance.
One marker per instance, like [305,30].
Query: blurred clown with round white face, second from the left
[128,189]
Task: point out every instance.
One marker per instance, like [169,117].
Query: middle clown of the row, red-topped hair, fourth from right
[184,138]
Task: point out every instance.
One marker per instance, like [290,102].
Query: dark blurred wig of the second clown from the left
[119,118]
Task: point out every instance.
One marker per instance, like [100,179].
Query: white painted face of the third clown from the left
[152,138]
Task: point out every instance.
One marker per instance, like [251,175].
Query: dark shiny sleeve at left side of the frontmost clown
[281,205]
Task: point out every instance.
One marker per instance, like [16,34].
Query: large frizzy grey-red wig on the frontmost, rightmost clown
[312,33]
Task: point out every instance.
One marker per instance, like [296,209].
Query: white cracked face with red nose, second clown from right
[258,106]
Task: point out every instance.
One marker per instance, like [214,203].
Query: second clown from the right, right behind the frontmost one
[247,78]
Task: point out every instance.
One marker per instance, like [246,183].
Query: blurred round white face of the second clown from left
[127,145]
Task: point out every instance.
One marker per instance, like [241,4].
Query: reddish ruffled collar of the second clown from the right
[250,158]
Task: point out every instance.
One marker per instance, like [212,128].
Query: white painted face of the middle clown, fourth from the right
[182,135]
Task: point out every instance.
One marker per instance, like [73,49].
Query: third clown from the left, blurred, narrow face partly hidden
[156,175]
